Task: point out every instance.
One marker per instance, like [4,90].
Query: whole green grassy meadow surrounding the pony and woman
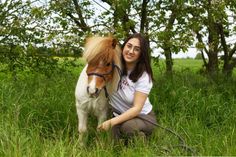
[38,116]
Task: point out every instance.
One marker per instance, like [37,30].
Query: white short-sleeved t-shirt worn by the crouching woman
[122,100]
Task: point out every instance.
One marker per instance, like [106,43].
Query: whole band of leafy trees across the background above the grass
[61,27]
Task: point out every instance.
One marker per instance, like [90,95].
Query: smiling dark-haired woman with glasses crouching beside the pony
[133,113]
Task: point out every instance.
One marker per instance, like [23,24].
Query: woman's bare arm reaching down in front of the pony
[139,100]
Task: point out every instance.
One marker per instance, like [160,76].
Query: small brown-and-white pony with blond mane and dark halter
[99,77]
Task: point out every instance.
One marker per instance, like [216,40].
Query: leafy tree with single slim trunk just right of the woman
[170,30]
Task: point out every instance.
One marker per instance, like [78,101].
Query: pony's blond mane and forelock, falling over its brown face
[103,48]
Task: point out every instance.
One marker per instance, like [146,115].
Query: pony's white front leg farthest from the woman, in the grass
[82,124]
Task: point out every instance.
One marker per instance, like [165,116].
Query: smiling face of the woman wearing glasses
[131,51]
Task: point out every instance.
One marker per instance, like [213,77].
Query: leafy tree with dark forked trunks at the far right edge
[210,22]
